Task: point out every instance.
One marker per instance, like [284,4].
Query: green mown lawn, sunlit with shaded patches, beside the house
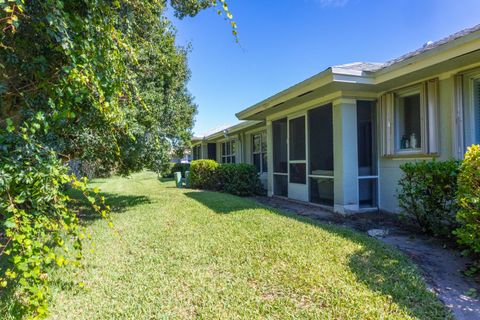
[191,254]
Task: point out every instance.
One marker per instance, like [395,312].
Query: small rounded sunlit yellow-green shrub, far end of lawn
[203,174]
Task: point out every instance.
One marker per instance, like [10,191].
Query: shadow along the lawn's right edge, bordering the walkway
[376,265]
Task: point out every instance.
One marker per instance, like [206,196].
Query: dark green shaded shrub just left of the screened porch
[239,179]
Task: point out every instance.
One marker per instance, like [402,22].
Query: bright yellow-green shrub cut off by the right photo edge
[468,198]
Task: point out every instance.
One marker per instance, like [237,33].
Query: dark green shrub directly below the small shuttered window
[427,194]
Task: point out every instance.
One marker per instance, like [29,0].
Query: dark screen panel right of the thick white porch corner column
[367,155]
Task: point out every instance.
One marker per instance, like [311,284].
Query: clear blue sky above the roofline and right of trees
[283,42]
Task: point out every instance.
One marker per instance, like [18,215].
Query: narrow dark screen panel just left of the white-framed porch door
[280,158]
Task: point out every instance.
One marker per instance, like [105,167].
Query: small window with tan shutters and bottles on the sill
[409,120]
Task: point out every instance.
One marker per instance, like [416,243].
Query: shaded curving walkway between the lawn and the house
[440,264]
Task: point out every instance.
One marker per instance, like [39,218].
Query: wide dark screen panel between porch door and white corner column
[320,131]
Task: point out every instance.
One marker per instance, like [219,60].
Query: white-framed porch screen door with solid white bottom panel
[297,185]
